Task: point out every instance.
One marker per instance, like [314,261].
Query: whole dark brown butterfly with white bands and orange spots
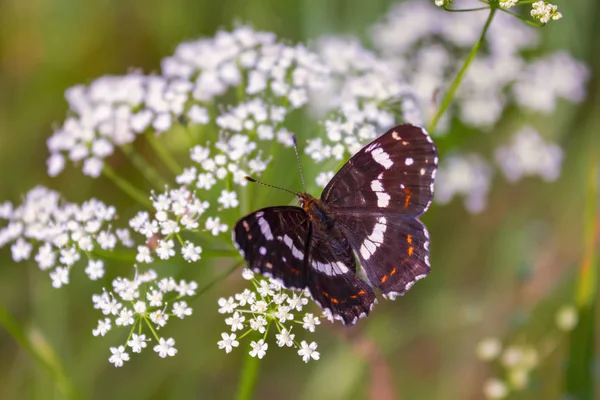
[362,233]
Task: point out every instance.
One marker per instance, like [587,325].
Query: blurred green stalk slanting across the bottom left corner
[44,355]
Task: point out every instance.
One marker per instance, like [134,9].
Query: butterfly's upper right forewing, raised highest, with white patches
[392,174]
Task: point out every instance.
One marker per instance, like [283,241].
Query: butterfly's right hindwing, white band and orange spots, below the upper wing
[393,251]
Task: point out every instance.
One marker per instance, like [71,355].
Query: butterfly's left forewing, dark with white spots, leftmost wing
[273,241]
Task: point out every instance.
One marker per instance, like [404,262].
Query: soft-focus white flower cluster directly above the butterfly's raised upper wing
[359,98]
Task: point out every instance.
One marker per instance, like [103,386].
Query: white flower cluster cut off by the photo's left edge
[56,233]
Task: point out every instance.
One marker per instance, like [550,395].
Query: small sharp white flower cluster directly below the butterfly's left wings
[255,311]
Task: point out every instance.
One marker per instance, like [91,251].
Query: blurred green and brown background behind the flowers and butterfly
[502,273]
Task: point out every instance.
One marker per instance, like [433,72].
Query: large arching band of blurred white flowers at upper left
[112,110]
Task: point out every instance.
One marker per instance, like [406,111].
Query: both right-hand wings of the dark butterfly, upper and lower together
[377,196]
